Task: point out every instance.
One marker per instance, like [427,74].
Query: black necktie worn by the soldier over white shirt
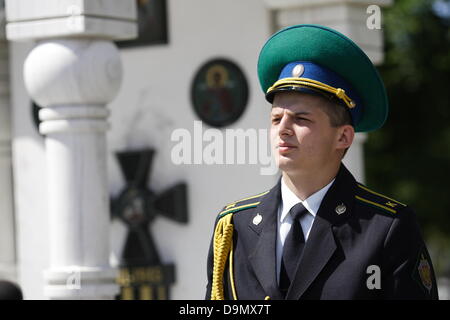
[293,247]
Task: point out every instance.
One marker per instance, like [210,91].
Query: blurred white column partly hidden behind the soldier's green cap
[353,18]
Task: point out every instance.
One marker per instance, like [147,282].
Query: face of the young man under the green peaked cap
[302,137]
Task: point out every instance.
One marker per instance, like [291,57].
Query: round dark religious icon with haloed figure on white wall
[219,92]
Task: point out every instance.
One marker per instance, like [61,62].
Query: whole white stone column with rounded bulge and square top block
[73,72]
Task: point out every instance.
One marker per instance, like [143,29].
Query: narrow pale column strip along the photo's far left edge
[7,234]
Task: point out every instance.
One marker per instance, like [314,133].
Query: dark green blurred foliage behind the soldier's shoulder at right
[409,158]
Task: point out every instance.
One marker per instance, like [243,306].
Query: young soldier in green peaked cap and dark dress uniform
[318,234]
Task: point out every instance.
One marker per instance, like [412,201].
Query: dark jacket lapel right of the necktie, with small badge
[321,243]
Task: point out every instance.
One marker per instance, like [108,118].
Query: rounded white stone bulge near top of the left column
[73,72]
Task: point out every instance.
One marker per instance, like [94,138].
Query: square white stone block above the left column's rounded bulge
[104,19]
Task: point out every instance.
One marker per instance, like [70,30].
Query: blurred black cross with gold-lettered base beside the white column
[142,275]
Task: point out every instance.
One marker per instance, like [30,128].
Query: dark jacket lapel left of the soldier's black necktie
[263,258]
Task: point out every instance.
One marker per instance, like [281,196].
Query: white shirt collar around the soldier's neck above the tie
[312,203]
